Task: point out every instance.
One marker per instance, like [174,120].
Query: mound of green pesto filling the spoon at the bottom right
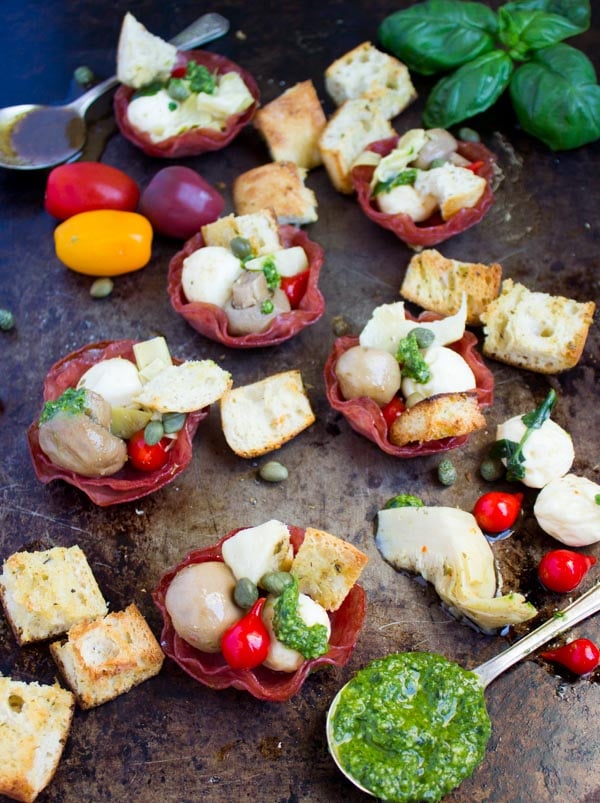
[410,727]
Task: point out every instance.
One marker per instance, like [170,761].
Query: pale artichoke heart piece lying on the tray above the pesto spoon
[446,547]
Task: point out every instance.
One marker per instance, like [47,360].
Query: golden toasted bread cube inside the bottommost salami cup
[327,567]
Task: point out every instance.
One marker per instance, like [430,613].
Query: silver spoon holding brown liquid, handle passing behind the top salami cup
[59,132]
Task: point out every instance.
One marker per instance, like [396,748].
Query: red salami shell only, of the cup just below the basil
[434,230]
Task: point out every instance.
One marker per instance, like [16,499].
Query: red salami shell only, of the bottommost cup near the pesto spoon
[212,670]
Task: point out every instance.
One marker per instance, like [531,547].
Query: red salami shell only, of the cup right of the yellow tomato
[211,321]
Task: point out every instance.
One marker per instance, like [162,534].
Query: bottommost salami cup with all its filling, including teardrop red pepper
[263,608]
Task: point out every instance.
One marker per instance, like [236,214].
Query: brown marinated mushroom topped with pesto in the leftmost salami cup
[74,433]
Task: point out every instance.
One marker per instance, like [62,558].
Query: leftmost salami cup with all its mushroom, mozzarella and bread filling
[119,418]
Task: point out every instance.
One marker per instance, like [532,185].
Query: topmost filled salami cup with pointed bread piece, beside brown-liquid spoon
[178,103]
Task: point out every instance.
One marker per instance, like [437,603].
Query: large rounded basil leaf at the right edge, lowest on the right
[557,98]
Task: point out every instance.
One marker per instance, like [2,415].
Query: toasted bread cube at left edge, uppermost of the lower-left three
[45,593]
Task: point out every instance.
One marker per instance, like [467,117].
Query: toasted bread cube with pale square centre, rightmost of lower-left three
[106,657]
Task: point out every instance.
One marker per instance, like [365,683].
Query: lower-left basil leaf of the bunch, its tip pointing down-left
[471,89]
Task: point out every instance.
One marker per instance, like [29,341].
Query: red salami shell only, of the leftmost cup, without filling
[128,483]
